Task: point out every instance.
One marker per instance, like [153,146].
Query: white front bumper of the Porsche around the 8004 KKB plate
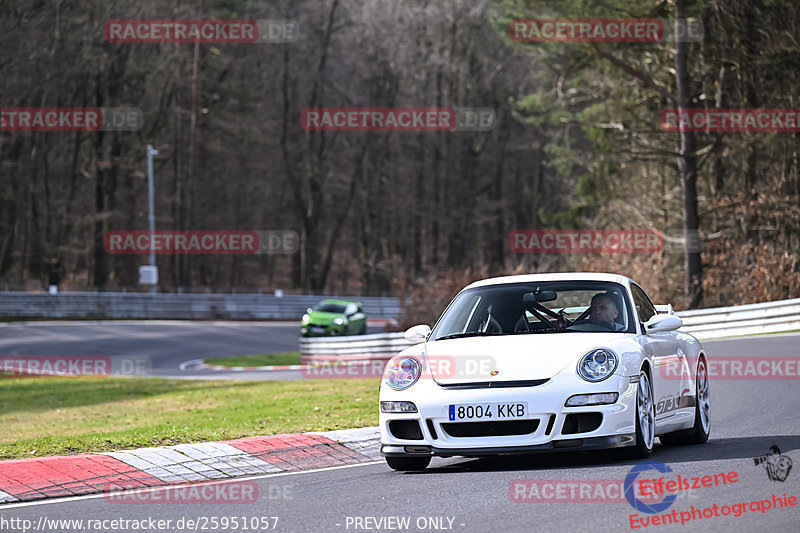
[545,404]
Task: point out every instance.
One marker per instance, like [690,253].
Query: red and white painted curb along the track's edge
[48,477]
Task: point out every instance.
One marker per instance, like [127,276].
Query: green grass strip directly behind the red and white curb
[60,416]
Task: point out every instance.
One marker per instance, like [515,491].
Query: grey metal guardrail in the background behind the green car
[167,306]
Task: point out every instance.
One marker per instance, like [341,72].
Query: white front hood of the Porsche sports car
[514,357]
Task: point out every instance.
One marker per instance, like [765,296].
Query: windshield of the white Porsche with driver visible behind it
[525,308]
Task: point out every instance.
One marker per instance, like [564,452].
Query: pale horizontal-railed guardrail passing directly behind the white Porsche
[771,317]
